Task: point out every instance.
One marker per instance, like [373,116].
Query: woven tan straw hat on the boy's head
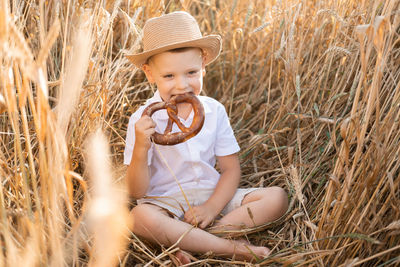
[175,30]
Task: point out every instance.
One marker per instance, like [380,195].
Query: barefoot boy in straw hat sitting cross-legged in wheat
[163,177]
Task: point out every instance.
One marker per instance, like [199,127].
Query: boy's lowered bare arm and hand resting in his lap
[223,193]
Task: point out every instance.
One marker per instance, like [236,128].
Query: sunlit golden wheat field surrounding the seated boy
[312,89]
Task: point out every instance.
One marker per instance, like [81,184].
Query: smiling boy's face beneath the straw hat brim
[176,72]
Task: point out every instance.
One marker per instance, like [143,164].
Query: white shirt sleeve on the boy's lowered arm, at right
[226,143]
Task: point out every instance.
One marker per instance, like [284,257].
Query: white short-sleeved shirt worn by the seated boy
[192,161]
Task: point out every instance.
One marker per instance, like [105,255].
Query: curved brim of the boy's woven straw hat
[210,44]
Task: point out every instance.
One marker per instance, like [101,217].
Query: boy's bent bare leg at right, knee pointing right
[265,205]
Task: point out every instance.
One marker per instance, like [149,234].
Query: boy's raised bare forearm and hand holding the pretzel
[137,175]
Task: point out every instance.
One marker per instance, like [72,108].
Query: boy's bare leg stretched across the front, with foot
[152,223]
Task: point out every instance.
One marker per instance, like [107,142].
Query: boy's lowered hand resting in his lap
[202,216]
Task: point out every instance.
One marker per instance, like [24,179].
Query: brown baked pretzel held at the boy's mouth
[169,138]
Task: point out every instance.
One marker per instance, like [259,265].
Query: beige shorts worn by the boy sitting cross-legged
[177,205]
